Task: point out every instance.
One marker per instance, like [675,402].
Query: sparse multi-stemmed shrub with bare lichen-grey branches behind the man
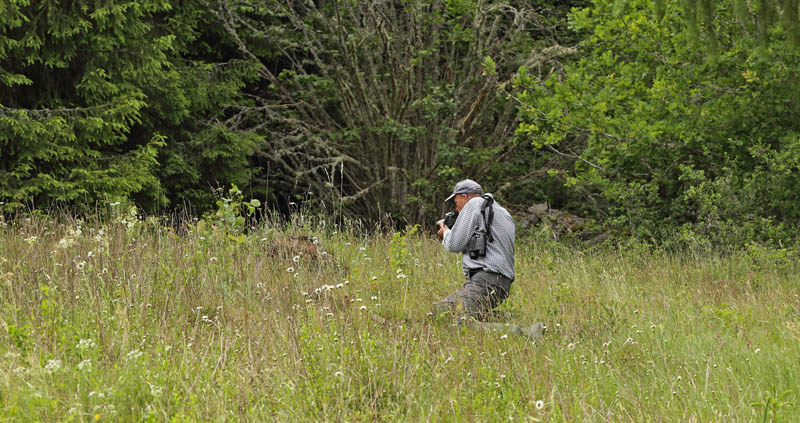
[378,107]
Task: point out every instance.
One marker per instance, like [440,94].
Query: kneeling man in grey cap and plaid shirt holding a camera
[488,276]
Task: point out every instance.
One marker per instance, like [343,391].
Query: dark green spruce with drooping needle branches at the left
[112,101]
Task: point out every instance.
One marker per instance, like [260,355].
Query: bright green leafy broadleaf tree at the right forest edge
[664,140]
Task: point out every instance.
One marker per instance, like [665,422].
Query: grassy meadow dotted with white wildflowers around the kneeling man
[130,321]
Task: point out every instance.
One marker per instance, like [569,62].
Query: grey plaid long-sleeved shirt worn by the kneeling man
[499,254]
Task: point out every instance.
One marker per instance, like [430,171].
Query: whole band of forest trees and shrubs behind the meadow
[672,123]
